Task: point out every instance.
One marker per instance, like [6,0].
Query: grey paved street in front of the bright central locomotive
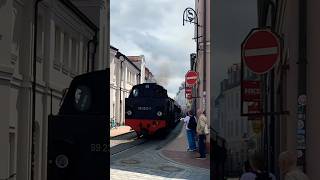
[150,160]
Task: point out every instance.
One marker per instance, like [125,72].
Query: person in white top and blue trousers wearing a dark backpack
[190,131]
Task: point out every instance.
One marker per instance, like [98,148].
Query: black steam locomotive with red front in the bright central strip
[149,110]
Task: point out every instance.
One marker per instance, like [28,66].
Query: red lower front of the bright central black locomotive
[151,125]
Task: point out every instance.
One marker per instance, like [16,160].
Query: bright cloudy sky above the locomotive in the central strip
[153,28]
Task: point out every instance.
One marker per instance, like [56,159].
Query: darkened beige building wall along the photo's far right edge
[290,28]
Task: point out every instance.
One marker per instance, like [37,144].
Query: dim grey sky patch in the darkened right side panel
[232,21]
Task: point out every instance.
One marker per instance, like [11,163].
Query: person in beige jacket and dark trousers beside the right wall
[202,131]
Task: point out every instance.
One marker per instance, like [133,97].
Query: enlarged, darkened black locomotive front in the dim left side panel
[78,137]
